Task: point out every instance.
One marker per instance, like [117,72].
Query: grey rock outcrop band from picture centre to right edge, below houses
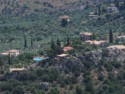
[76,63]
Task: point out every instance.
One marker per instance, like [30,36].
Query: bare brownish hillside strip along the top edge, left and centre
[36,4]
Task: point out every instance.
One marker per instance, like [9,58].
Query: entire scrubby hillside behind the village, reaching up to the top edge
[19,18]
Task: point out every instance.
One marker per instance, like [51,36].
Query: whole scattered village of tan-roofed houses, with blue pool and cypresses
[113,41]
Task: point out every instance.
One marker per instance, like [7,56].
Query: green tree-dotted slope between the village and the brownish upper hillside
[43,26]
